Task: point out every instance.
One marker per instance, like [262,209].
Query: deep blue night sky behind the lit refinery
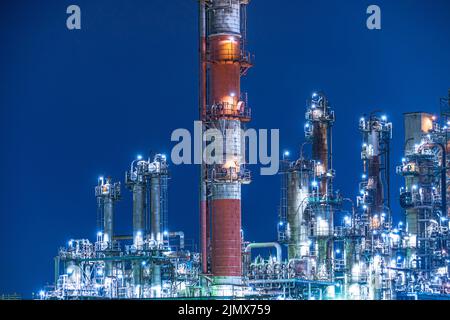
[78,104]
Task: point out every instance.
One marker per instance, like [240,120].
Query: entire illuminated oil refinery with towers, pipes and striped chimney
[330,246]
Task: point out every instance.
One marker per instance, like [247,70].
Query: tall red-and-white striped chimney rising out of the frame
[223,108]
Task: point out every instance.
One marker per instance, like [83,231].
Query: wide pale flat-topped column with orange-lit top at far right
[423,196]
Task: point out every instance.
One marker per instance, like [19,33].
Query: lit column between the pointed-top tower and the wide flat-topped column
[374,202]
